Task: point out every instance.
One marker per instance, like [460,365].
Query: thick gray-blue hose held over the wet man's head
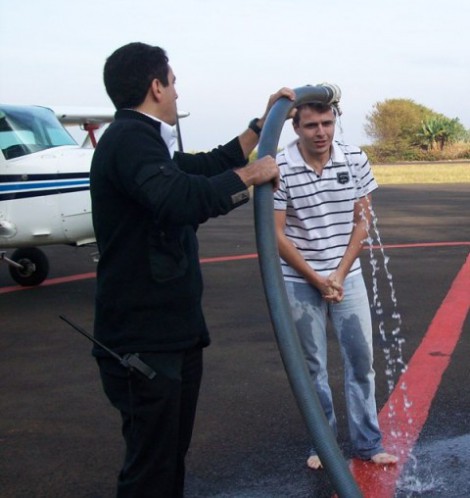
[284,328]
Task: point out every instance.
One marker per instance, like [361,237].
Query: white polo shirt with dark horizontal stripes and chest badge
[320,209]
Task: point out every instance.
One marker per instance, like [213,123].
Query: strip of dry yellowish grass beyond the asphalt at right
[442,172]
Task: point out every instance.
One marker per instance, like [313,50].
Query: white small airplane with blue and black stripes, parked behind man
[45,184]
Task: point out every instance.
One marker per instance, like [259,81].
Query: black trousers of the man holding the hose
[157,420]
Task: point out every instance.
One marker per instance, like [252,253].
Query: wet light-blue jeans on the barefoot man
[351,322]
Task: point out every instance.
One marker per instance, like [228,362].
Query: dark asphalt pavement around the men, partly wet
[60,438]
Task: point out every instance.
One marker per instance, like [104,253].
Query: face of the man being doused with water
[315,130]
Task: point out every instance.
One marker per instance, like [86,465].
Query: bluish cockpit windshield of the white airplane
[28,129]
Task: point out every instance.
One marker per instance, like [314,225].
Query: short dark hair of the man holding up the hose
[129,71]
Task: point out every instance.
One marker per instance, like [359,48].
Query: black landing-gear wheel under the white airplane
[35,266]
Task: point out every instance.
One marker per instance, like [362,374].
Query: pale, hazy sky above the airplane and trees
[230,56]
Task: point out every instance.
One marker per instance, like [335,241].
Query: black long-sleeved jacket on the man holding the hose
[146,209]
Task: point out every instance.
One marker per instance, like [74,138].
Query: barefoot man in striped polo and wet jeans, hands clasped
[322,215]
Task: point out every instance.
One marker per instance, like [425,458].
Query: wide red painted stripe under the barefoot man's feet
[403,416]
